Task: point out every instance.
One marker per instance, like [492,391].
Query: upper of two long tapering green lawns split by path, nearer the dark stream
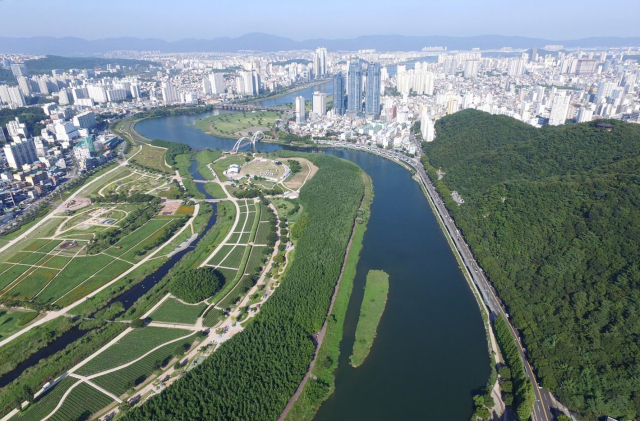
[130,347]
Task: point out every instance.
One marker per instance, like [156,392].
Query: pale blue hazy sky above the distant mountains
[304,19]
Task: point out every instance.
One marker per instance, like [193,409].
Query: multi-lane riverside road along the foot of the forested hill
[545,405]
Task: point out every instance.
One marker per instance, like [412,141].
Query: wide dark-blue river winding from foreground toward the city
[430,355]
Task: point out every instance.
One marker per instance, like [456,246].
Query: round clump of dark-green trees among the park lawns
[194,285]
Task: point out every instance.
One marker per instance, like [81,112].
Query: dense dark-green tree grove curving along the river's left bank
[265,364]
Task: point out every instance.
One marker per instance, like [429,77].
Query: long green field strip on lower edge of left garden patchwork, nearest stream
[63,297]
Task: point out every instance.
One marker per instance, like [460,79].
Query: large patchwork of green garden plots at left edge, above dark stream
[57,269]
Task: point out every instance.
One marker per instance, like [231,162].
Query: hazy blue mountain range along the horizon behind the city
[264,42]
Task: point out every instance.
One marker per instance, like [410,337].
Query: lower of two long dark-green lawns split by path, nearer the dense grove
[122,380]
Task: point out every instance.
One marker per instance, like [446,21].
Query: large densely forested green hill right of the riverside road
[553,216]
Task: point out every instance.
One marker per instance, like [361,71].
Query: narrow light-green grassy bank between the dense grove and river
[307,401]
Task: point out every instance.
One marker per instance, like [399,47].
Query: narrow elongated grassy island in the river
[373,304]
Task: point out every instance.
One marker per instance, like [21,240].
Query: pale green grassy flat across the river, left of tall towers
[231,124]
